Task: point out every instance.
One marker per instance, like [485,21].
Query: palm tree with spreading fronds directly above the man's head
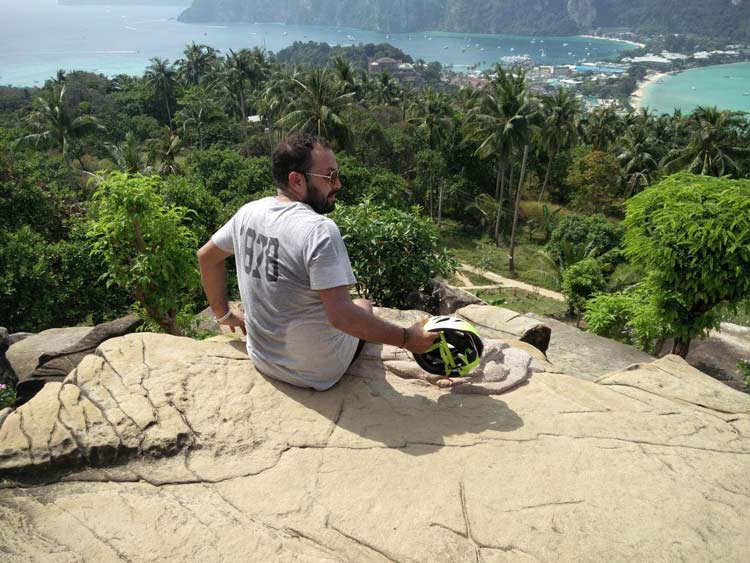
[319,107]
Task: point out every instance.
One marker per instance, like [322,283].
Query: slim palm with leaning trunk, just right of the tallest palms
[559,116]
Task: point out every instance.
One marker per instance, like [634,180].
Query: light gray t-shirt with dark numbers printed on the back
[284,253]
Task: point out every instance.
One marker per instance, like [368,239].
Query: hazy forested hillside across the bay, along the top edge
[717,18]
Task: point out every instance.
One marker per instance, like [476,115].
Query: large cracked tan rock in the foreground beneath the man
[194,456]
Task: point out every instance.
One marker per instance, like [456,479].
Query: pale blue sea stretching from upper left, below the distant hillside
[37,37]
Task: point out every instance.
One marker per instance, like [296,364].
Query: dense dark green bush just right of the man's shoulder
[392,252]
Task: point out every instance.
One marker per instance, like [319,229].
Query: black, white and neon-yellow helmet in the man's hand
[456,352]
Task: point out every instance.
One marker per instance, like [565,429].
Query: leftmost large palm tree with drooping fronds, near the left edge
[55,125]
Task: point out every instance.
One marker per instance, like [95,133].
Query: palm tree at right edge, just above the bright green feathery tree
[714,144]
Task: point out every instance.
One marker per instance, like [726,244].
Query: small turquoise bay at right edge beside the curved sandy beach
[724,86]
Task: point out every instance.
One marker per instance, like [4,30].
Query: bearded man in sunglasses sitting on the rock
[294,275]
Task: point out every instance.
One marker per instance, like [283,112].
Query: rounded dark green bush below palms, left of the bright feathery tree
[579,235]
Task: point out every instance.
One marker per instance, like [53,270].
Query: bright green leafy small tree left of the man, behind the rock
[145,245]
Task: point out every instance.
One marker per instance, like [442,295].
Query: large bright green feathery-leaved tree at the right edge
[692,233]
